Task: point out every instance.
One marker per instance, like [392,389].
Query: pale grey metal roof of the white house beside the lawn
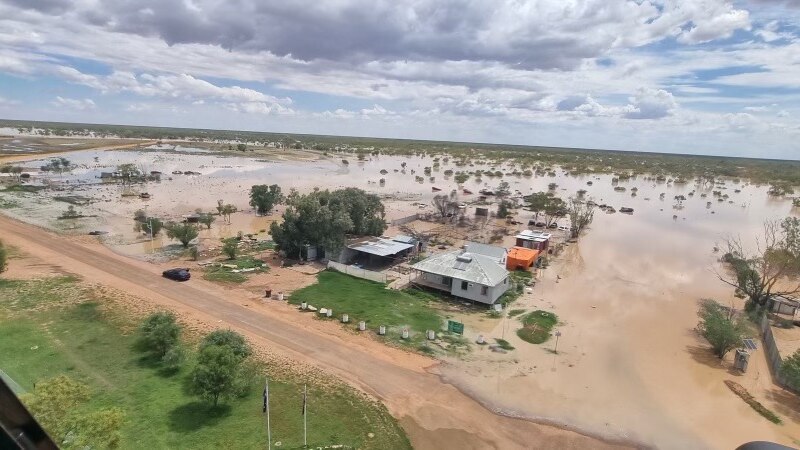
[472,267]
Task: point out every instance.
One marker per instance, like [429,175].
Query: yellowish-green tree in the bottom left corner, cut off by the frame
[56,404]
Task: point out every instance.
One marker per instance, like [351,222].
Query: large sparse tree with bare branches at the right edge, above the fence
[776,258]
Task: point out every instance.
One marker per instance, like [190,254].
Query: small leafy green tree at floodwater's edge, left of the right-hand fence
[720,326]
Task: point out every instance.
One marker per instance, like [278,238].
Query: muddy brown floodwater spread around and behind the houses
[629,363]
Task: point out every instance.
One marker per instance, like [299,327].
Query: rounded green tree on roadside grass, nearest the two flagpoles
[214,376]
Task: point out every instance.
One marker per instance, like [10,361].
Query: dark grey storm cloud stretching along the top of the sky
[357,31]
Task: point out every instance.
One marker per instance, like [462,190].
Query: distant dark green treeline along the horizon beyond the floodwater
[574,160]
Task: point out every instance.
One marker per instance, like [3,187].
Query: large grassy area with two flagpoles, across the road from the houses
[59,326]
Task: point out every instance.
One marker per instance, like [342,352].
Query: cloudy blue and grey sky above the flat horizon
[683,76]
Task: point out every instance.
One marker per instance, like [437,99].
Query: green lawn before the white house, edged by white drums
[373,303]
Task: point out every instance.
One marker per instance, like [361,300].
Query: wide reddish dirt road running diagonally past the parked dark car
[434,414]
